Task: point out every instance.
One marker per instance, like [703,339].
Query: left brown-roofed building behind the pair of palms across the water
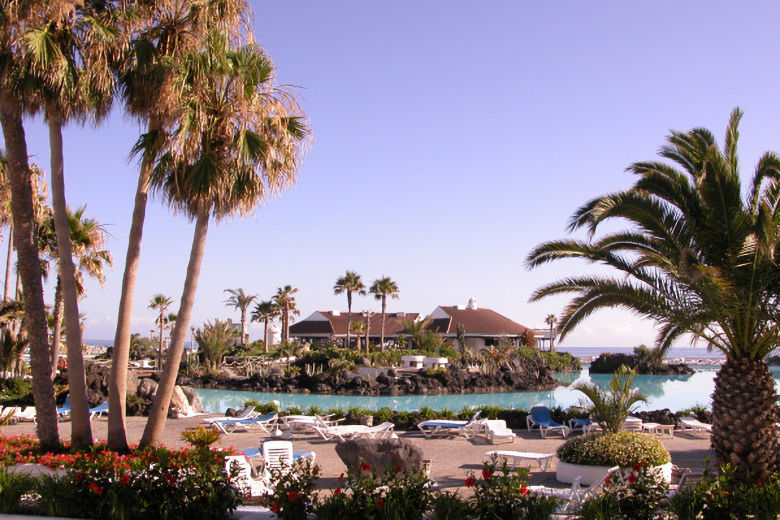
[322,327]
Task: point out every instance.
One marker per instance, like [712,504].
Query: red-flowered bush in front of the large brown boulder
[391,494]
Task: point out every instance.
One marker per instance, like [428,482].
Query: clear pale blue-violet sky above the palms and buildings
[449,139]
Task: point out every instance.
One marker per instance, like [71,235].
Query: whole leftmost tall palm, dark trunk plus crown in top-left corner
[14,100]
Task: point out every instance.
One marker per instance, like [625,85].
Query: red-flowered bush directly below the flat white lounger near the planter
[502,493]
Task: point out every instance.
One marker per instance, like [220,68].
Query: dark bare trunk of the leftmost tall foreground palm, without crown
[29,265]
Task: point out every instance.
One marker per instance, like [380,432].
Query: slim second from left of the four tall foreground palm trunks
[81,429]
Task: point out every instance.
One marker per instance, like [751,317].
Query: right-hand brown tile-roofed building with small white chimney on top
[482,327]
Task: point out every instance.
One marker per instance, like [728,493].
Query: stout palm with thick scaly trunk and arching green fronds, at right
[699,259]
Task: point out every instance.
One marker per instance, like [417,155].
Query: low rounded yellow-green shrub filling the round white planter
[614,449]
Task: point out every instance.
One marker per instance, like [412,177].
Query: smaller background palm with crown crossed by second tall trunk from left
[87,239]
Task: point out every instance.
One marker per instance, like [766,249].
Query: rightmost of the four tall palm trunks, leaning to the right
[162,399]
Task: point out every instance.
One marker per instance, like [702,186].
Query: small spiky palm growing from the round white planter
[612,405]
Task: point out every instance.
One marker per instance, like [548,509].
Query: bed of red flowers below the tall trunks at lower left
[147,483]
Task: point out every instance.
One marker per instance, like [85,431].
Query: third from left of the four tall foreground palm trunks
[117,388]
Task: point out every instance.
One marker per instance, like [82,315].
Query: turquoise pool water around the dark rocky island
[673,392]
